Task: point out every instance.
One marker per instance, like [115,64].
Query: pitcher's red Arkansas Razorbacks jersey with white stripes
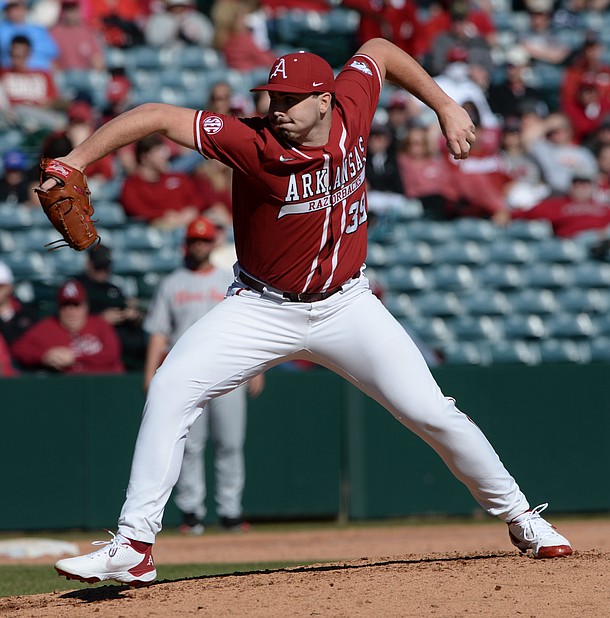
[300,213]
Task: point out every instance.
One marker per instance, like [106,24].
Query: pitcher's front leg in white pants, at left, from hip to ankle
[238,339]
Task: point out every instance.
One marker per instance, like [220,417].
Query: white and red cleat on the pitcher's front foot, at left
[117,560]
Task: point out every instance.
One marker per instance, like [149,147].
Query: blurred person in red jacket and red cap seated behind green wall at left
[73,342]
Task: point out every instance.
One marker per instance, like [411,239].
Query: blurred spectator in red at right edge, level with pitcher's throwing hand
[588,107]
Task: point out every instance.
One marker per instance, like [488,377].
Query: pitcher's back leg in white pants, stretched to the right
[365,343]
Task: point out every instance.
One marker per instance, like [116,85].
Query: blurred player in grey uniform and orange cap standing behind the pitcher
[179,301]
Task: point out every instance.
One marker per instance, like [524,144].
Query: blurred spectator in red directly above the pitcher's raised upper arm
[396,21]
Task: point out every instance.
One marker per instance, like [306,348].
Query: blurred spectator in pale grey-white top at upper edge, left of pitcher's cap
[177,23]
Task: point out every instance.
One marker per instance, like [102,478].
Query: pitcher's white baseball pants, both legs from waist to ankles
[351,333]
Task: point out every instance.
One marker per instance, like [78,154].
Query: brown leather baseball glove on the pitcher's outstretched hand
[67,205]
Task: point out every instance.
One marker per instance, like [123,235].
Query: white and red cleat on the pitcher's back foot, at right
[530,531]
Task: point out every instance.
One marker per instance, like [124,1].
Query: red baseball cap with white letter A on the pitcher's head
[301,72]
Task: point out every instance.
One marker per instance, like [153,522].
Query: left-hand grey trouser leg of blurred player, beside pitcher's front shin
[189,493]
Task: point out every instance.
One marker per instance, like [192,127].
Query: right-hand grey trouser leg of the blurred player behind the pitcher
[228,431]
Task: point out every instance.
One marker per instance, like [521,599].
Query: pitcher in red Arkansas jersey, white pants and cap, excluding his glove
[300,228]
